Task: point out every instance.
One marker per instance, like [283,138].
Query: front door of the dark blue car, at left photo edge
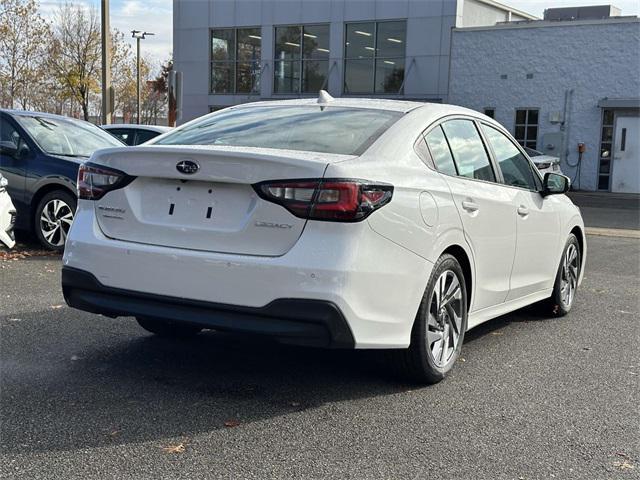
[14,167]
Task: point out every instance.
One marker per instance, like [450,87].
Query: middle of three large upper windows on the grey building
[301,62]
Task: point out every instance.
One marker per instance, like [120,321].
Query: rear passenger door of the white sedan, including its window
[484,206]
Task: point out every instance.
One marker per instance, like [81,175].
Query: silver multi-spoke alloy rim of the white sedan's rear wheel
[445,318]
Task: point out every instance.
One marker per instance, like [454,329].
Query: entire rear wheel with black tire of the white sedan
[423,362]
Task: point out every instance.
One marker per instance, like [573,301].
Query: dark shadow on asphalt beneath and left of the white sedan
[144,388]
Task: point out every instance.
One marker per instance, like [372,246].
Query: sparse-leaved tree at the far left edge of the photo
[24,35]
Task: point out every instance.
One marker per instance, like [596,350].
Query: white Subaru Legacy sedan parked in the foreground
[346,223]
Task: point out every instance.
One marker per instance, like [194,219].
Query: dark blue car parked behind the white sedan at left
[39,155]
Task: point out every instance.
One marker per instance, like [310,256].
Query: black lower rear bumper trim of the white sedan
[289,320]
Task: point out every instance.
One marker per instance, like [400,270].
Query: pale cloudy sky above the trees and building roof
[156,16]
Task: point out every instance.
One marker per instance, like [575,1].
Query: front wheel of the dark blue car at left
[53,218]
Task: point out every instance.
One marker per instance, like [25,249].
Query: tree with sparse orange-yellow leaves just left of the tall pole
[75,53]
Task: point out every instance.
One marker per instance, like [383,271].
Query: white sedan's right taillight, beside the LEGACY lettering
[327,199]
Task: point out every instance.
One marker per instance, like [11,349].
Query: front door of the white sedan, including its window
[537,218]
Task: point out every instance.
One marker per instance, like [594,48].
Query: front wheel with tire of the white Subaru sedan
[561,300]
